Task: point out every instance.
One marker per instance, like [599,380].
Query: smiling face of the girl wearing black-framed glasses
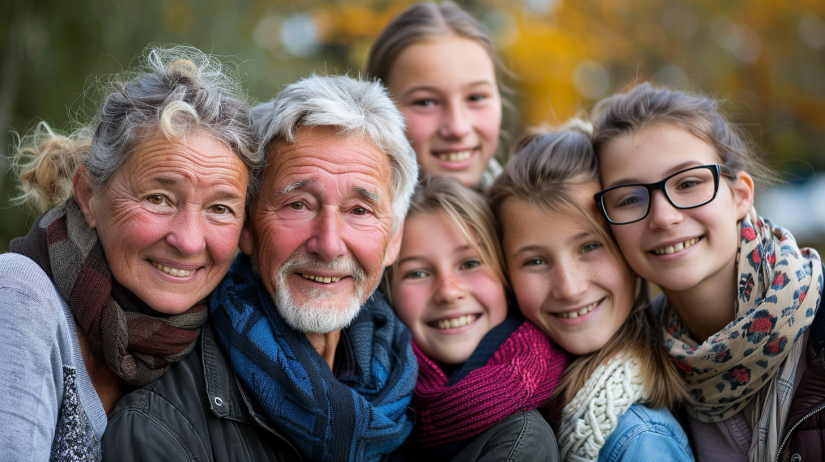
[655,246]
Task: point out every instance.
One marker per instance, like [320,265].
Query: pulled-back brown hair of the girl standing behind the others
[424,21]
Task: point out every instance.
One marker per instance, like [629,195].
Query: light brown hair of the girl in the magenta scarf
[467,210]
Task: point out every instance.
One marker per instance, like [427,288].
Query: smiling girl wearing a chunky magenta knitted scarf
[479,367]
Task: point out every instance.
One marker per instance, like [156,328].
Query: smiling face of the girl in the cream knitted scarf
[565,280]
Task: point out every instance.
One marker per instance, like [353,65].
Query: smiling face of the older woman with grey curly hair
[170,218]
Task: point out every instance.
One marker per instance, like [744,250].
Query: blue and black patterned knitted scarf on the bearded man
[358,418]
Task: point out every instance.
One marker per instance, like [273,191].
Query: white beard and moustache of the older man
[314,316]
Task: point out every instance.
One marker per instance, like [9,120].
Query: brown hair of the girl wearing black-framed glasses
[646,105]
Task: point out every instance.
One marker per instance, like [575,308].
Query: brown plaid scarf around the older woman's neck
[137,343]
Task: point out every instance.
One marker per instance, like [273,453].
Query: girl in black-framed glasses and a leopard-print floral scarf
[739,294]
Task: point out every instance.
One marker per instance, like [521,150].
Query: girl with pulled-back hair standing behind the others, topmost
[440,67]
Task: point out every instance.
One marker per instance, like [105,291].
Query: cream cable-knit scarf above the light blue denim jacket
[594,412]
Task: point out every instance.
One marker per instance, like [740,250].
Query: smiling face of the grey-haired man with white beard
[320,227]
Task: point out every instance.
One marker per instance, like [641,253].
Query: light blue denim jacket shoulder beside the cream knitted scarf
[642,433]
